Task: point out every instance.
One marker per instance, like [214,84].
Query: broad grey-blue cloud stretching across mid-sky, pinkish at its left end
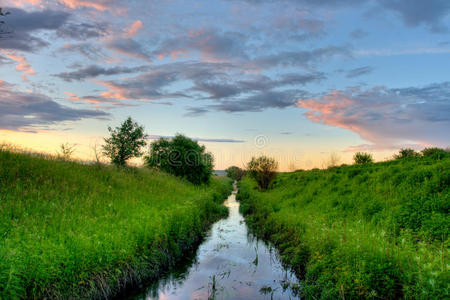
[217,82]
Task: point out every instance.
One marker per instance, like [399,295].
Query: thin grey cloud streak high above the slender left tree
[95,71]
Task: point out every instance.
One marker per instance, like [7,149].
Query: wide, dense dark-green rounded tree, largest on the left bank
[183,157]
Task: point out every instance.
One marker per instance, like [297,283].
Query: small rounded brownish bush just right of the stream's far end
[263,170]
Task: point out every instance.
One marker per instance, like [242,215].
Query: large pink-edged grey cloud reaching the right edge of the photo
[387,118]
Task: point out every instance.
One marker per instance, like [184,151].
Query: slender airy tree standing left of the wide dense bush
[125,142]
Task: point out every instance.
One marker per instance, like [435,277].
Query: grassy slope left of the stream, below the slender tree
[72,230]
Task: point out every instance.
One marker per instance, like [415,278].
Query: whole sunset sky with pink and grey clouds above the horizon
[298,80]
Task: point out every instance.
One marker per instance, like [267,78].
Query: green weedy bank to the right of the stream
[372,231]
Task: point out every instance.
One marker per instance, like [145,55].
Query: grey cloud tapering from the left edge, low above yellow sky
[29,111]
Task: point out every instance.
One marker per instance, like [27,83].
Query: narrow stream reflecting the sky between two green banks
[229,264]
